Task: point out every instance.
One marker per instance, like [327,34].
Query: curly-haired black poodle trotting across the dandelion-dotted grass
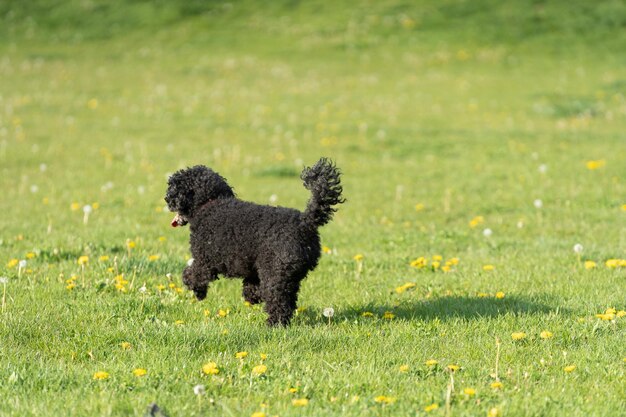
[271,248]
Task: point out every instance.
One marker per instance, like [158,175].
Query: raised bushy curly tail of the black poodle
[322,179]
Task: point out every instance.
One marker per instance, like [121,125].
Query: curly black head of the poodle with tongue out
[189,189]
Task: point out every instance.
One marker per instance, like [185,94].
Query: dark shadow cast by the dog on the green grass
[440,308]
